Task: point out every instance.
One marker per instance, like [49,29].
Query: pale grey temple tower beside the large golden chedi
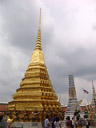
[73,103]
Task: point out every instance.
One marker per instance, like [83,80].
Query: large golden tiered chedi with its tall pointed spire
[36,96]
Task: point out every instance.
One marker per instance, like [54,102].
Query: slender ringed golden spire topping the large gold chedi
[38,41]
